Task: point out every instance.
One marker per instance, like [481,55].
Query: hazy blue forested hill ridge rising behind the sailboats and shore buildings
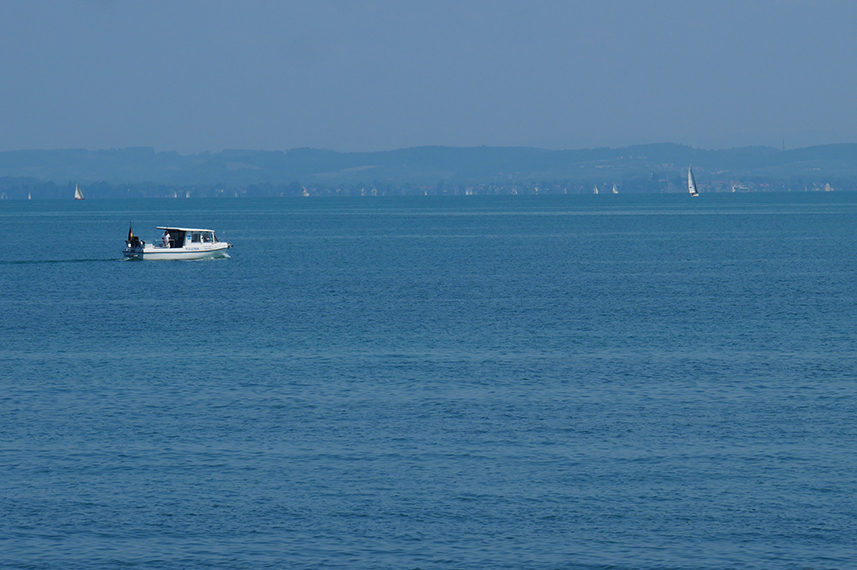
[635,166]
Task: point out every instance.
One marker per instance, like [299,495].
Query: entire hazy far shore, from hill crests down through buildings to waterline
[657,168]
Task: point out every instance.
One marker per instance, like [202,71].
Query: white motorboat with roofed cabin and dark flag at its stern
[177,243]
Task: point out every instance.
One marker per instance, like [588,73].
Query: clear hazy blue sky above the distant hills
[367,75]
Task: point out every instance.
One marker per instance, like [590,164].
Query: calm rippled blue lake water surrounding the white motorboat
[515,382]
